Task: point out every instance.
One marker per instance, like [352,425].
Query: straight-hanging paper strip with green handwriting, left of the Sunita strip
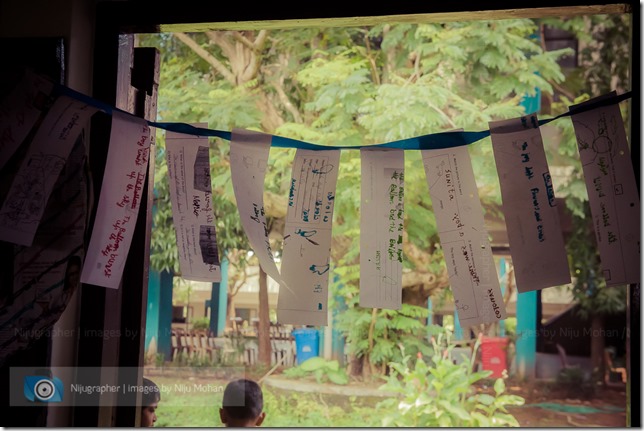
[381,228]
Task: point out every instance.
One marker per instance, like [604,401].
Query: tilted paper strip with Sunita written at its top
[464,238]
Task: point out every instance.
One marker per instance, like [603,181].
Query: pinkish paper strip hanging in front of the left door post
[118,206]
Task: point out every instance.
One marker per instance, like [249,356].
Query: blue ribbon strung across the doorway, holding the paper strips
[432,141]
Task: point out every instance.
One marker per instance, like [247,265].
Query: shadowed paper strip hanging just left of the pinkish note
[23,208]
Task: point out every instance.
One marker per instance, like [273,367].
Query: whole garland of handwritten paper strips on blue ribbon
[533,226]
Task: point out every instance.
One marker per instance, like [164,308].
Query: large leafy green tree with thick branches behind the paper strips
[351,86]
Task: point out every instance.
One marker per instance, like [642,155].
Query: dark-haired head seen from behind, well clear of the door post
[242,405]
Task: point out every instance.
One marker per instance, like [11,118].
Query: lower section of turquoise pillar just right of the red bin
[526,334]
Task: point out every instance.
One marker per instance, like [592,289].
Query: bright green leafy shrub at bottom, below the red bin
[440,393]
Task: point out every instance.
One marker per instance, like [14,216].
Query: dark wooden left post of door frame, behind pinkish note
[112,322]
